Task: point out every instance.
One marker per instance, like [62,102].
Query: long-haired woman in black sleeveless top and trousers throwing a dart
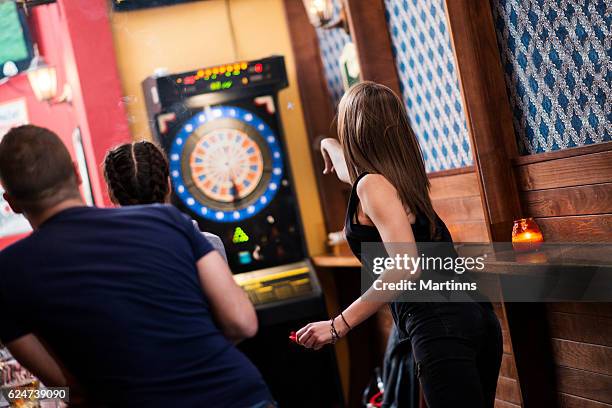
[456,345]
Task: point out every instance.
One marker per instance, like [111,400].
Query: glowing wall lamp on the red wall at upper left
[43,80]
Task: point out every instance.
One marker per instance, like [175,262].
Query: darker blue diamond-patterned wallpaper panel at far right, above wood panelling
[557,58]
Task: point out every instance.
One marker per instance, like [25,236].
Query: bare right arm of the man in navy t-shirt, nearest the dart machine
[231,307]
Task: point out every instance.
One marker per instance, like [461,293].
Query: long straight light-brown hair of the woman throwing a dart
[376,138]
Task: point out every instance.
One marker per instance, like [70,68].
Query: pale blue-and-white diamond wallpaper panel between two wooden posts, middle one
[429,80]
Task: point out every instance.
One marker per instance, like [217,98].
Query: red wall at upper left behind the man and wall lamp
[75,37]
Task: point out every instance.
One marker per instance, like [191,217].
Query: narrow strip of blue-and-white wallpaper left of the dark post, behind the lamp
[331,44]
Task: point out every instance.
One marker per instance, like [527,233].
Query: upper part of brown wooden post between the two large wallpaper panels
[488,113]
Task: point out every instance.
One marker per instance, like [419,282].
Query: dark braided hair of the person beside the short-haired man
[137,173]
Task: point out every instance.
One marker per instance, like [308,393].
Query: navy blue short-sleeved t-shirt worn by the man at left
[115,293]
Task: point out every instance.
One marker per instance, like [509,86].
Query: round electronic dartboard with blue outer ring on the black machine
[226,164]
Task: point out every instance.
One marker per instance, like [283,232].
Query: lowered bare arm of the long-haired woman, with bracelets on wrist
[381,203]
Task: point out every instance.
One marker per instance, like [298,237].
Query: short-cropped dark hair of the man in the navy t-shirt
[36,168]
